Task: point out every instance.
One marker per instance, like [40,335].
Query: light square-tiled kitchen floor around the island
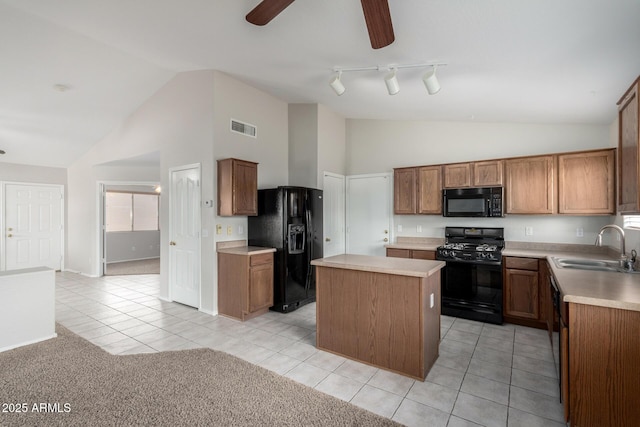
[486,375]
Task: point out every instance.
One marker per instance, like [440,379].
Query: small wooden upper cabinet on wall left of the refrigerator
[237,187]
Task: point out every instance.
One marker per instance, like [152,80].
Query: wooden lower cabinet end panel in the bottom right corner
[604,373]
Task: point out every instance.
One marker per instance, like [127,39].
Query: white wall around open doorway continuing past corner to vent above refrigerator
[187,121]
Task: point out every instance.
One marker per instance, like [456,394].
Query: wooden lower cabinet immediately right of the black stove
[525,291]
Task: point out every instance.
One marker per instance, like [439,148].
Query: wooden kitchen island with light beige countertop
[381,311]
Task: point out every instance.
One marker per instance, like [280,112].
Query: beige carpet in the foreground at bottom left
[80,384]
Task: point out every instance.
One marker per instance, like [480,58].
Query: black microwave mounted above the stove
[472,202]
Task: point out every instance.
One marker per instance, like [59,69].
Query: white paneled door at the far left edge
[33,226]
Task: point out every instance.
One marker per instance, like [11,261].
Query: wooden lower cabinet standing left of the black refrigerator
[245,284]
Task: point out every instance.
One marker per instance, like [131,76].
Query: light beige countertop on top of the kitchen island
[378,264]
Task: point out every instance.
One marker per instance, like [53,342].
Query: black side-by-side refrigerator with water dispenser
[290,220]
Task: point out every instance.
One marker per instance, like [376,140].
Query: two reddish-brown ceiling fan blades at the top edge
[376,15]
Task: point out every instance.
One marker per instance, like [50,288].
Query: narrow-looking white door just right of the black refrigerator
[334,214]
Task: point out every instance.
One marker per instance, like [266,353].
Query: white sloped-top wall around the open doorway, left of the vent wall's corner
[177,122]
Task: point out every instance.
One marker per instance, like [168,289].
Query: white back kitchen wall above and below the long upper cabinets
[379,146]
